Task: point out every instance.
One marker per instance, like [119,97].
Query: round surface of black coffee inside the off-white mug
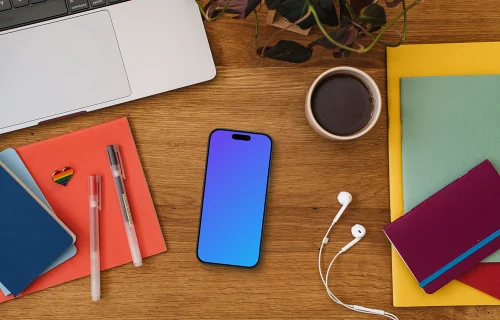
[342,104]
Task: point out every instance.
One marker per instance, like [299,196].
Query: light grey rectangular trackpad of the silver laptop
[58,68]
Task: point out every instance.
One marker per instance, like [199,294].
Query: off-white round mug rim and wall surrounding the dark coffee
[369,84]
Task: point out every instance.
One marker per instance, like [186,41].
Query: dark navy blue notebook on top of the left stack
[31,239]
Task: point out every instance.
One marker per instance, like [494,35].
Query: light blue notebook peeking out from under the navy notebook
[12,160]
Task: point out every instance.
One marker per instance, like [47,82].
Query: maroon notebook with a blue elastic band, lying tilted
[452,231]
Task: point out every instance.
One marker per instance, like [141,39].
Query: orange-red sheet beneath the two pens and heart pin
[85,152]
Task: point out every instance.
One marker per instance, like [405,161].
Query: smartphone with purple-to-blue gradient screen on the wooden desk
[234,198]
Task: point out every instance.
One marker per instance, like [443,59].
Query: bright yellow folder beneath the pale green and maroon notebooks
[429,60]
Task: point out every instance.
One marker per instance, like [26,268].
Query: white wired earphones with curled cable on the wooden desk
[358,231]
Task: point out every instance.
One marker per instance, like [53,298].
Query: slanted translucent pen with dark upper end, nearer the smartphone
[117,170]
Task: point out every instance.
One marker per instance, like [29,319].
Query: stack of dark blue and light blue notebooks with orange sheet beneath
[37,250]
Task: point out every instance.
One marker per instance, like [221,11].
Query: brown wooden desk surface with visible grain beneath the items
[308,171]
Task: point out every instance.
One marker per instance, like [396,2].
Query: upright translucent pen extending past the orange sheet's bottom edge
[95,205]
